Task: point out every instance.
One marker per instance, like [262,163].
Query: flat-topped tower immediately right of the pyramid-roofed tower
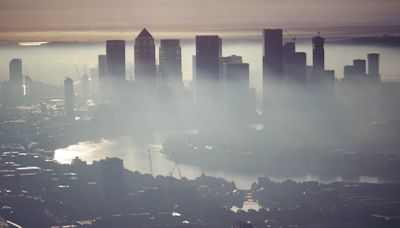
[171,63]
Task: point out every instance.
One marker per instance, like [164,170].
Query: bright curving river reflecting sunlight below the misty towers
[136,157]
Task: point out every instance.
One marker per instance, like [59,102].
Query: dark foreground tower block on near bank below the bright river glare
[112,178]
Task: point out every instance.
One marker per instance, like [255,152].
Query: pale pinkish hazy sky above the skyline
[181,15]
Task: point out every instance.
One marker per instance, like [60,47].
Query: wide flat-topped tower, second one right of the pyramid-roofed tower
[208,54]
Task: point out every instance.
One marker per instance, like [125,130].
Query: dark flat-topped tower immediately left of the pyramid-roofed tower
[115,52]
